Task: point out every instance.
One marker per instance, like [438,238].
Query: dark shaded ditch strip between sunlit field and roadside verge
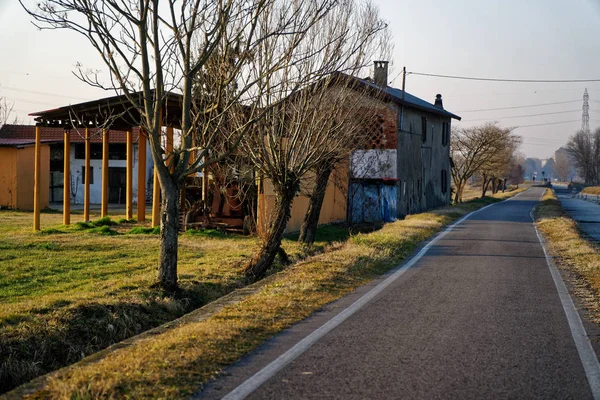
[63,333]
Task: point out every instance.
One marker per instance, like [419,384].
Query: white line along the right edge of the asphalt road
[587,355]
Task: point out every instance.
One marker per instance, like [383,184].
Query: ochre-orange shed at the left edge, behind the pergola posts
[16,173]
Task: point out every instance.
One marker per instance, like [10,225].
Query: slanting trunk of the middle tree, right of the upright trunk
[272,242]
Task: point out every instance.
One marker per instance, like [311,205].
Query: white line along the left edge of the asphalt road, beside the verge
[255,381]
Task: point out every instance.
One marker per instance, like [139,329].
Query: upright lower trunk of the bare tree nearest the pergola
[169,236]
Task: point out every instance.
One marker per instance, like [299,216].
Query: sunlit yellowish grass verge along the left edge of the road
[176,363]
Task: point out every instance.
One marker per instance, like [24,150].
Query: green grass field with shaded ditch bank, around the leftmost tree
[67,292]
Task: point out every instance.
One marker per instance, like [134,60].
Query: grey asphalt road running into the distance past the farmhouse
[477,317]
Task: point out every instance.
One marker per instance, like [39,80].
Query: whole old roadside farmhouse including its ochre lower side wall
[404,168]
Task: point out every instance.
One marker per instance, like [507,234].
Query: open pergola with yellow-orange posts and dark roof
[117,113]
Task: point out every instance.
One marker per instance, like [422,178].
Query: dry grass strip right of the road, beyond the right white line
[571,250]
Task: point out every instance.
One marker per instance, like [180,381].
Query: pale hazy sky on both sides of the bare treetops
[505,39]
